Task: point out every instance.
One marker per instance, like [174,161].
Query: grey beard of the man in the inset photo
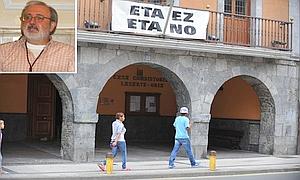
[37,35]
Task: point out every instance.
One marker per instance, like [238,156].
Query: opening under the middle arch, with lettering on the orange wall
[150,96]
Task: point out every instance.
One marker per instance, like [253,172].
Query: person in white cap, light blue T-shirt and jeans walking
[182,125]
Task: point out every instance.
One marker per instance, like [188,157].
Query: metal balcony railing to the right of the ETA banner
[249,31]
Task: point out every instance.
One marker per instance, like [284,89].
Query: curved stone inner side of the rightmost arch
[267,111]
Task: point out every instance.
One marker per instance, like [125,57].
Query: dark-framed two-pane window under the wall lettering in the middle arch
[142,103]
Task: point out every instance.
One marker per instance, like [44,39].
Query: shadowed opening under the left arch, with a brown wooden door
[35,108]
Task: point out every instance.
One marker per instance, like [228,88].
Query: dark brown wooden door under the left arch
[41,107]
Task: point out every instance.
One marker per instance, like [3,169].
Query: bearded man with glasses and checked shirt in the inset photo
[35,51]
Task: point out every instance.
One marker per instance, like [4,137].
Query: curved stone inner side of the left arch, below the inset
[67,139]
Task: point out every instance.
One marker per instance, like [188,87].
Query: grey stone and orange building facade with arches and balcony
[242,87]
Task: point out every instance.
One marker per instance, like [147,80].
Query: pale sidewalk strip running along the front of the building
[153,169]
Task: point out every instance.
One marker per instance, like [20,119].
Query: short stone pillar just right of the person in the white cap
[199,135]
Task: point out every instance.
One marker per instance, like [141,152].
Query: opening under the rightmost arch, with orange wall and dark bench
[243,115]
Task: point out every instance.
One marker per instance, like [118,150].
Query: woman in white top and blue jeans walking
[118,142]
